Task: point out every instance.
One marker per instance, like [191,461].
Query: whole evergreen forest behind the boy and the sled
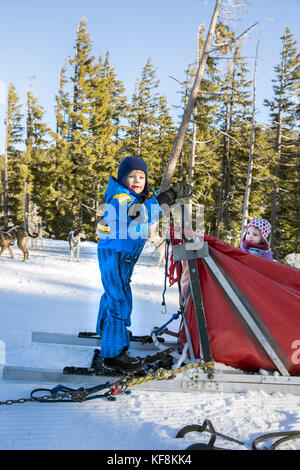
[239,168]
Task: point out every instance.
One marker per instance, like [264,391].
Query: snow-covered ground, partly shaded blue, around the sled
[49,293]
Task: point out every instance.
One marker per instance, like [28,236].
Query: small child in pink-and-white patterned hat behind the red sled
[255,239]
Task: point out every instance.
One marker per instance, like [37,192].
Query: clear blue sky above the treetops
[36,36]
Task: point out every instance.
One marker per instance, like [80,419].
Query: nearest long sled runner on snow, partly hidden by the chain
[190,381]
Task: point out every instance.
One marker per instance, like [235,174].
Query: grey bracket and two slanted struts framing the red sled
[248,315]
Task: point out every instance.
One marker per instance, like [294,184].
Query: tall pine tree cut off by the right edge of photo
[283,113]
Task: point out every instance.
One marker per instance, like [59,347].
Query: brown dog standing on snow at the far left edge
[8,235]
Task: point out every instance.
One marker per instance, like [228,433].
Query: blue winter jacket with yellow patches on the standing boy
[117,230]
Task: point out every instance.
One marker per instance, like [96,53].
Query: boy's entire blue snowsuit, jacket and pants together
[122,240]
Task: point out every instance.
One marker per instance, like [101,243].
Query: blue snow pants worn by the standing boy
[116,302]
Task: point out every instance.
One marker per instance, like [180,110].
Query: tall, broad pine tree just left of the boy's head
[90,108]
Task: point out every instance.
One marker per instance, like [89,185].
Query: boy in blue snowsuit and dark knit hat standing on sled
[123,230]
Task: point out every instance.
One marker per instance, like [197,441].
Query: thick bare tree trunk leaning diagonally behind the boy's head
[178,144]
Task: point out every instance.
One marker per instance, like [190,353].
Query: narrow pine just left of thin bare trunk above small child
[235,124]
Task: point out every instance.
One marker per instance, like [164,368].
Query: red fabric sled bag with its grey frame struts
[238,309]
